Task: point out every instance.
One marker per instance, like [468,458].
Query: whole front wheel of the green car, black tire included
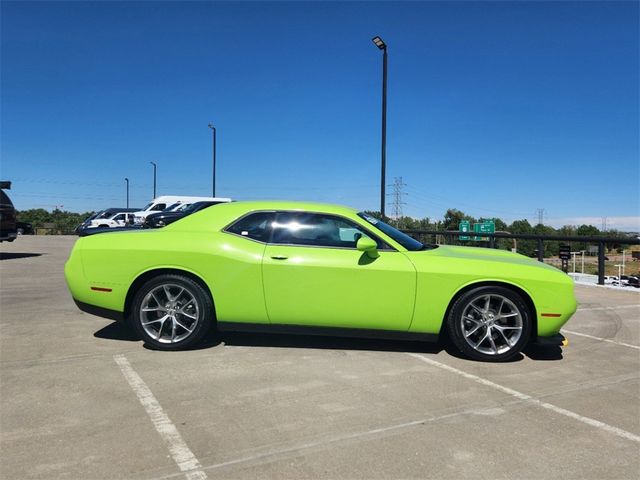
[497,335]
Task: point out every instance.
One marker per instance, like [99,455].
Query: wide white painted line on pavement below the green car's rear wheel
[180,452]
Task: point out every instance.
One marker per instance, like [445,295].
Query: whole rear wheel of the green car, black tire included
[195,312]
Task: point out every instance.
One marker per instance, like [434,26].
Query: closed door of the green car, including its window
[314,275]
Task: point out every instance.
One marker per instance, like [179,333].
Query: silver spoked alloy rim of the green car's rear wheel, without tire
[169,313]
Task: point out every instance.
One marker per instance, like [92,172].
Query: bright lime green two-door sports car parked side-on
[315,268]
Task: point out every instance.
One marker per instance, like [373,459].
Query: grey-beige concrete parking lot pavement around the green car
[82,399]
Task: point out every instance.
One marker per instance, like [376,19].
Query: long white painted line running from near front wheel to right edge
[528,398]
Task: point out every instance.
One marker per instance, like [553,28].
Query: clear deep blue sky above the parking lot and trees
[494,108]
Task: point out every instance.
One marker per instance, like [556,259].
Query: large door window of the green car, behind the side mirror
[318,230]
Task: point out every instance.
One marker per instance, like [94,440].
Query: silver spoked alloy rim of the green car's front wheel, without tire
[491,324]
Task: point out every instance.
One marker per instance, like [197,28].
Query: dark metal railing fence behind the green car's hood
[453,237]
